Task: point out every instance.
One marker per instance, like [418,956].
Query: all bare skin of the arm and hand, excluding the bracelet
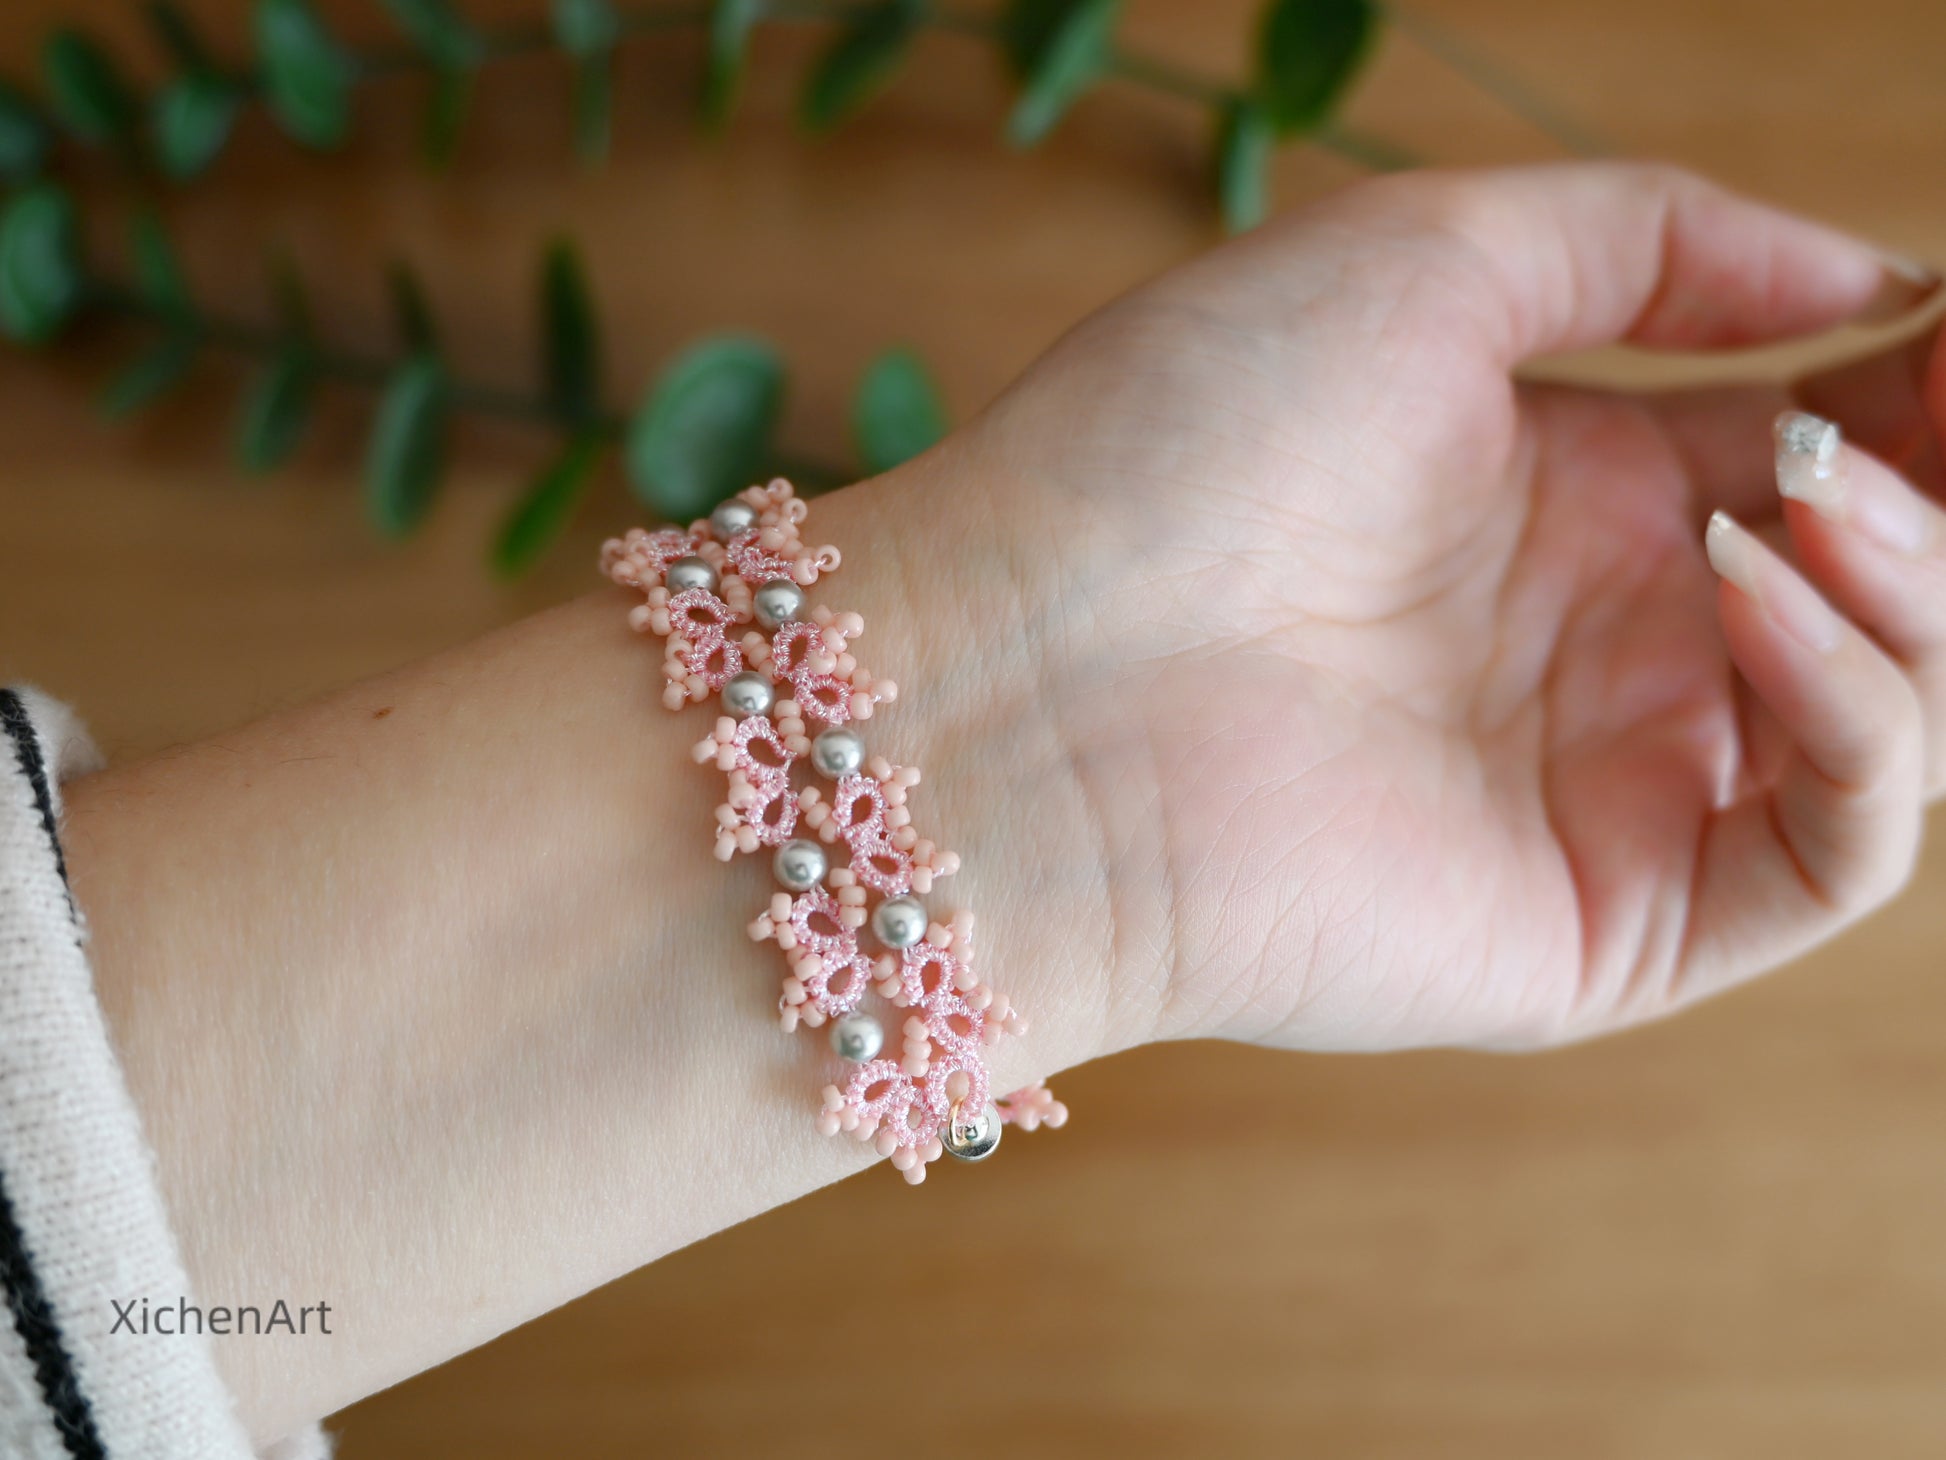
[1281,667]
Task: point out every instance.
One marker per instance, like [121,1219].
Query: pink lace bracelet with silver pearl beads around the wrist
[748,566]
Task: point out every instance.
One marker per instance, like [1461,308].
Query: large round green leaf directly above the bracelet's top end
[705,429]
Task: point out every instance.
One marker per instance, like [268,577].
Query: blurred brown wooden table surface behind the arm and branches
[1721,1237]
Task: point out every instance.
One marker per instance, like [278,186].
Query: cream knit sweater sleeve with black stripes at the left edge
[83,1225]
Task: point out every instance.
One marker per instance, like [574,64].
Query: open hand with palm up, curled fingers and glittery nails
[1402,696]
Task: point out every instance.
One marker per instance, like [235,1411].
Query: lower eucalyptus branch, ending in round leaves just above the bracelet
[707,425]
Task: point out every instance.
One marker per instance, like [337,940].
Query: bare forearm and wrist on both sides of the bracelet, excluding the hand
[439,1009]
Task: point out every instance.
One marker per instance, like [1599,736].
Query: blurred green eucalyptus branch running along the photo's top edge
[1309,54]
